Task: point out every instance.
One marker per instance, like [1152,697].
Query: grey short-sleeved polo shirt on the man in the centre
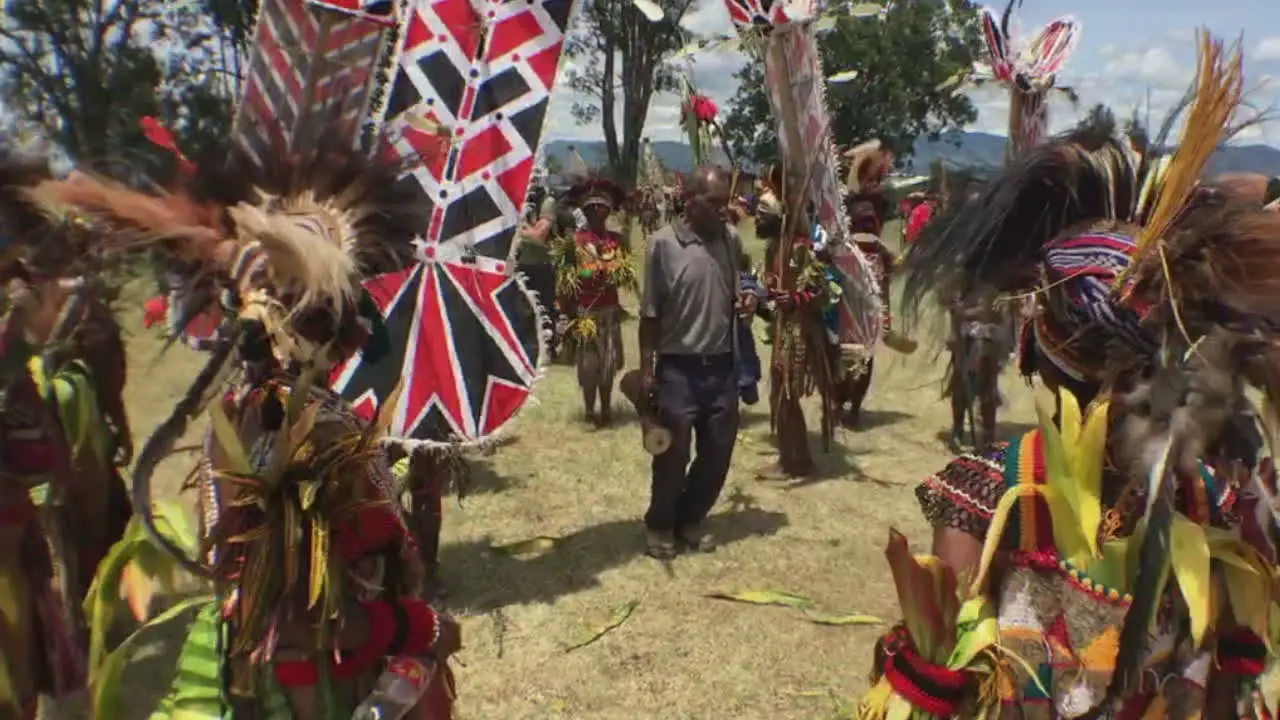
[691,286]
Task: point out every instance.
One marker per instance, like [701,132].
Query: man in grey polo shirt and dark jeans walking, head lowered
[688,330]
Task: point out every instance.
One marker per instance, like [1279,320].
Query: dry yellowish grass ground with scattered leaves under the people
[679,654]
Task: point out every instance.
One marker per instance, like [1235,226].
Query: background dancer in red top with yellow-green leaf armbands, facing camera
[595,267]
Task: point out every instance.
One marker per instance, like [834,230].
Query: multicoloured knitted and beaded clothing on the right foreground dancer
[1063,626]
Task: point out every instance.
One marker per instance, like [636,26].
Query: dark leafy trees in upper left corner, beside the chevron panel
[81,75]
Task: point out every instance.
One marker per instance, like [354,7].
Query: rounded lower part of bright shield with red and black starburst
[467,343]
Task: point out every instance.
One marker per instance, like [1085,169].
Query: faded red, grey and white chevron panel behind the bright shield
[305,57]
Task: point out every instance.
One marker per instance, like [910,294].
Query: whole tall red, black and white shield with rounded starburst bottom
[468,332]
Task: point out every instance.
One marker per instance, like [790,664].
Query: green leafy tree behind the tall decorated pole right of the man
[903,62]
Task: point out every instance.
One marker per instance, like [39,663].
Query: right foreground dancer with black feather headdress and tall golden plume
[1121,567]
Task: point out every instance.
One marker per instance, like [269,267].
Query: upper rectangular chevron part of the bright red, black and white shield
[484,74]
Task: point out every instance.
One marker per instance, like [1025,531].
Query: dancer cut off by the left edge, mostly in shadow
[63,430]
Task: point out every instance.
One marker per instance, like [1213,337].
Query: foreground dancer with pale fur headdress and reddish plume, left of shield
[316,571]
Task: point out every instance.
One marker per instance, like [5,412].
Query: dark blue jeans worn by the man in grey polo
[698,403]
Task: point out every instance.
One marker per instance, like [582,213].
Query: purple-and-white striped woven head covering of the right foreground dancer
[1080,316]
